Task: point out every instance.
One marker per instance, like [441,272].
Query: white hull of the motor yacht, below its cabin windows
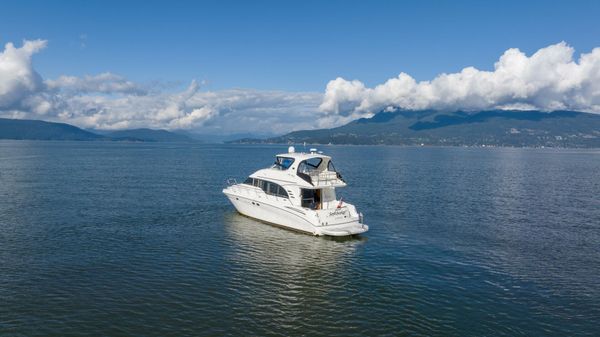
[278,211]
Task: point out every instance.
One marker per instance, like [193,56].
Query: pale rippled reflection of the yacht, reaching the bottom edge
[287,271]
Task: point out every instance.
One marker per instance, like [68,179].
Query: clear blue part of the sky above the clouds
[289,45]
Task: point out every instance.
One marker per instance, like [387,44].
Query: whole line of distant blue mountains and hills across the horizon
[397,127]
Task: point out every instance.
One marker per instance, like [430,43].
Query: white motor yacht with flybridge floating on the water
[298,192]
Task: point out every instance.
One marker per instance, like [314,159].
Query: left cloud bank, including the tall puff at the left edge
[110,101]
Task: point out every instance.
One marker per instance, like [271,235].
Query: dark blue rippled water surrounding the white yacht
[107,238]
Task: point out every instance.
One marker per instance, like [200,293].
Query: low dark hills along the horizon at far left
[41,130]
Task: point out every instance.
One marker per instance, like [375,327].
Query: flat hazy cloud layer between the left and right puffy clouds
[225,111]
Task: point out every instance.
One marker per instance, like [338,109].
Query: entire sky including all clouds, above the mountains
[276,66]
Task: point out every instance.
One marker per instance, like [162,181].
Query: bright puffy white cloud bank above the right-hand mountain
[550,79]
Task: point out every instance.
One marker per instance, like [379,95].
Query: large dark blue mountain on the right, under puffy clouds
[482,128]
